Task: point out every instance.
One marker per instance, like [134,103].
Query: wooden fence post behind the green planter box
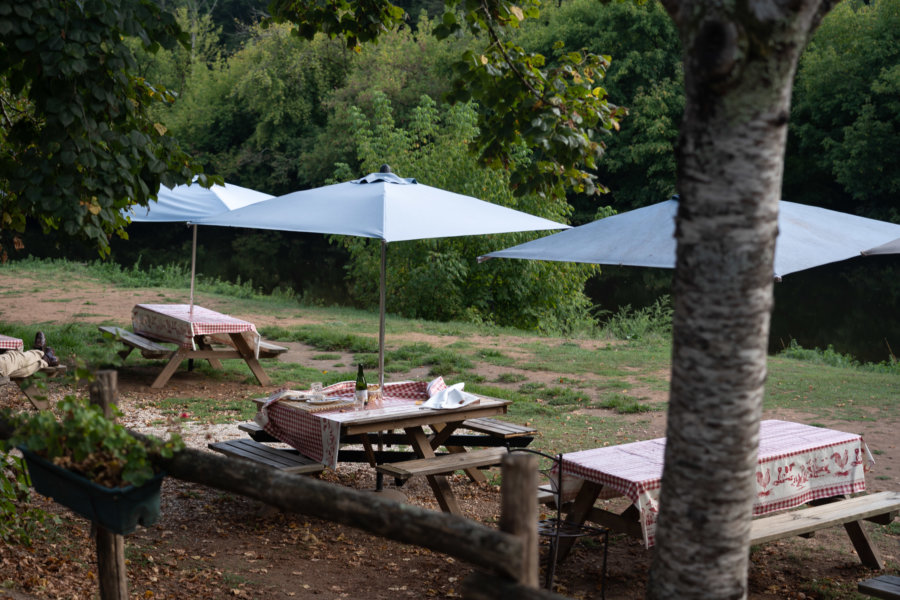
[110,546]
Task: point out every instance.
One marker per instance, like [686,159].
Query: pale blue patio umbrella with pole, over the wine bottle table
[386,207]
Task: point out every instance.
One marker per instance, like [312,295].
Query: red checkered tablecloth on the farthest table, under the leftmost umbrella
[179,323]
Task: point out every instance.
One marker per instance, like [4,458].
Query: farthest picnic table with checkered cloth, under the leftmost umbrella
[193,329]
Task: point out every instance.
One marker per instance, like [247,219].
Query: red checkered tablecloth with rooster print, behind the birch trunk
[797,463]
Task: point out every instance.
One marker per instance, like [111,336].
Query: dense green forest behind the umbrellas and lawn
[277,113]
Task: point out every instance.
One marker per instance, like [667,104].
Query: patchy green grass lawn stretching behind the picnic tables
[612,378]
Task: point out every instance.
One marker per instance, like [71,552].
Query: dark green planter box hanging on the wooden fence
[117,509]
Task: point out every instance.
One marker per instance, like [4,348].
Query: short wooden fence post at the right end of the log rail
[519,509]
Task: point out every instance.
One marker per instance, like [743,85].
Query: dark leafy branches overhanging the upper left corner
[77,143]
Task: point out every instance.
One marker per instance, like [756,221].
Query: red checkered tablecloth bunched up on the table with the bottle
[317,435]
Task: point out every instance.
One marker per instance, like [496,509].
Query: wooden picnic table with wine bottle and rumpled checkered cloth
[317,431]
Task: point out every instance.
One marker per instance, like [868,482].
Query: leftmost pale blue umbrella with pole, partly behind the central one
[185,203]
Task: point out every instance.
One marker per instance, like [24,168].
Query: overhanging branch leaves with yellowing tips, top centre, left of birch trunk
[557,112]
